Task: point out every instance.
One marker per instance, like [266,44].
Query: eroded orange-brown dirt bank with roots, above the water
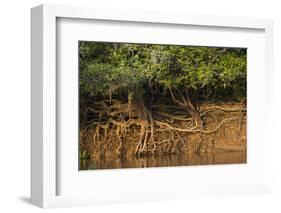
[166,130]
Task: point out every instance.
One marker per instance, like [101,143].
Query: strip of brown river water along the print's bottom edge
[165,161]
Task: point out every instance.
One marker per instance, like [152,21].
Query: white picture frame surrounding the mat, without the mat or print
[44,154]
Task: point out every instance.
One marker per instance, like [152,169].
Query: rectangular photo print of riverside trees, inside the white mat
[155,105]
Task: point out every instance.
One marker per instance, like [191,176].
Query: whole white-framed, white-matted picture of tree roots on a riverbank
[130,106]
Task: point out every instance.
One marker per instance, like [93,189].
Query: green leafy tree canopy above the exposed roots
[108,68]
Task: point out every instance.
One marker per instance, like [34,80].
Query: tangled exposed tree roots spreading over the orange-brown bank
[119,128]
